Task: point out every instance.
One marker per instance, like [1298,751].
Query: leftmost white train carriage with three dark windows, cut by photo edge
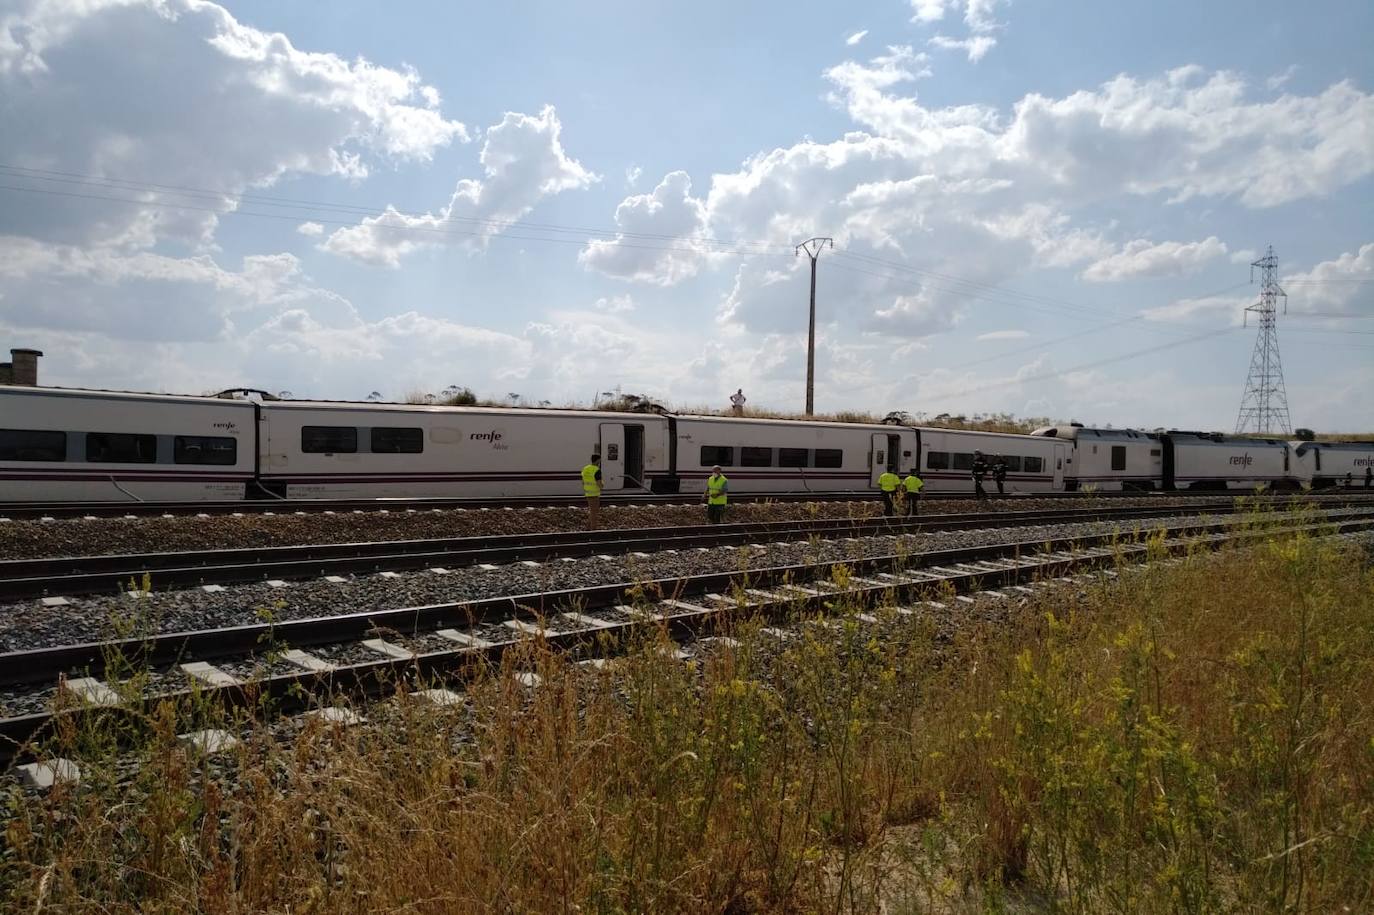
[78,446]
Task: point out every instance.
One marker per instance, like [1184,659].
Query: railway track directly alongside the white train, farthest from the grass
[35,512]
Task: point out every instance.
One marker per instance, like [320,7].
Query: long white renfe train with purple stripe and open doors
[85,446]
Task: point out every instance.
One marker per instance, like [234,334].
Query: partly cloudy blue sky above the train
[1048,210]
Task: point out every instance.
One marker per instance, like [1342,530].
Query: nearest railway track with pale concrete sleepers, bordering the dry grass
[574,622]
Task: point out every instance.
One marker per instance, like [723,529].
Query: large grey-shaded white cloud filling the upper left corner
[204,102]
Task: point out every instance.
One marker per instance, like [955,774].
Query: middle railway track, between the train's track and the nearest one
[25,579]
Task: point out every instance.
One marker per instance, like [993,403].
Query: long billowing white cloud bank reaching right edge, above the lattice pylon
[1184,135]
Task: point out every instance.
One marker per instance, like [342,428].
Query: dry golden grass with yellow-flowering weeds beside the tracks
[1199,738]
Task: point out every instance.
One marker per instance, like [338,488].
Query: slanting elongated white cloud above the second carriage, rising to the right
[524,163]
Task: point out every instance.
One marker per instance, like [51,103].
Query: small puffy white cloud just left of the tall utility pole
[659,236]
